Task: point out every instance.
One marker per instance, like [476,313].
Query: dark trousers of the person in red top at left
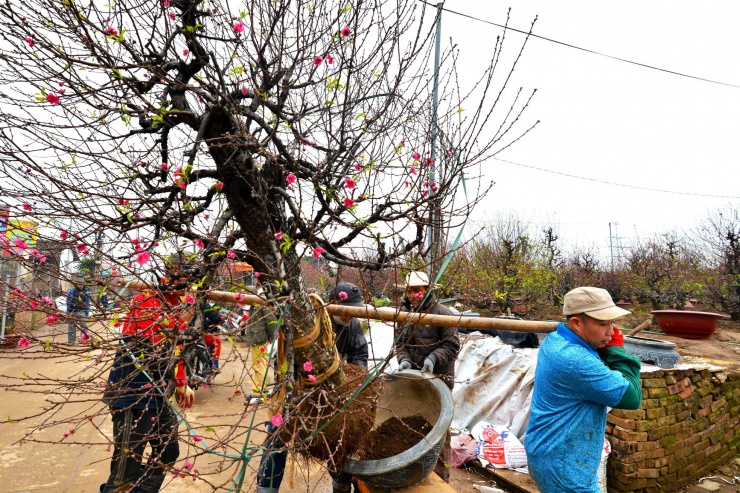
[133,429]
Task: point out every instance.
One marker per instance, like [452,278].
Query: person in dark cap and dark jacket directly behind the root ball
[352,348]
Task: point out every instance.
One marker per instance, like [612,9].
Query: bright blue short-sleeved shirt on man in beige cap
[565,436]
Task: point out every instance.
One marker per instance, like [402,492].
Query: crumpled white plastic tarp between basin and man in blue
[493,383]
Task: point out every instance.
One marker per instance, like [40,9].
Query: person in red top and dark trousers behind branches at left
[137,392]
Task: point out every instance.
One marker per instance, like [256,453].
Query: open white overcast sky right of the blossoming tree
[613,121]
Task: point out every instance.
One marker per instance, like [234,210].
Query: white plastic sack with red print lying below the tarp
[498,446]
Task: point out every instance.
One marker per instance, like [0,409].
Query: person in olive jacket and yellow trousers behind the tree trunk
[261,327]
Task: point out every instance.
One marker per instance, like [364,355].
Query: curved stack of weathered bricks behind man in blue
[688,425]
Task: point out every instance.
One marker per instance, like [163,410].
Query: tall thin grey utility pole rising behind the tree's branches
[435,215]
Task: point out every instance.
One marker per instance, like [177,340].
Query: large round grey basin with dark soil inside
[408,393]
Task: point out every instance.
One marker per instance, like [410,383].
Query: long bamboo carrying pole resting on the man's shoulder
[385,314]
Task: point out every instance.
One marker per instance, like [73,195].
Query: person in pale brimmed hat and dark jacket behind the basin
[432,349]
